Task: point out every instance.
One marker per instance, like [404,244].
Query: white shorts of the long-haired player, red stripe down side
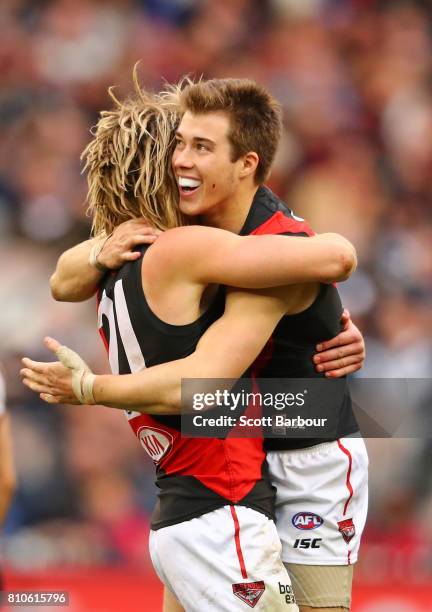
[227,560]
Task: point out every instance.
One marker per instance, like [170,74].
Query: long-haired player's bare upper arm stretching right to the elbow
[251,262]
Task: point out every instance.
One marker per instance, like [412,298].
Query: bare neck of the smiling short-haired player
[231,214]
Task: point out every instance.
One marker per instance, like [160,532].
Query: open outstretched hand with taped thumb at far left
[68,381]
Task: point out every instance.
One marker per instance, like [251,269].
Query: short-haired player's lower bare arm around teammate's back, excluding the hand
[226,350]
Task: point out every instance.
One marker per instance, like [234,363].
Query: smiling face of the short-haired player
[202,161]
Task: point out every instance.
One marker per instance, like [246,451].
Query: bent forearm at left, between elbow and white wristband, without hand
[75,279]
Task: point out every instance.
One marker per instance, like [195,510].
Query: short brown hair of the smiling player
[255,116]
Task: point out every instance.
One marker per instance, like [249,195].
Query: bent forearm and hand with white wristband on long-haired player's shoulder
[76,279]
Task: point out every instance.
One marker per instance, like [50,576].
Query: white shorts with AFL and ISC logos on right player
[321,501]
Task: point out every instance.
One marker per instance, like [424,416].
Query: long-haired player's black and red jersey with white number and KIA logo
[193,475]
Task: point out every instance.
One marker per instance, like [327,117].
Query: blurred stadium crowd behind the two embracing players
[355,80]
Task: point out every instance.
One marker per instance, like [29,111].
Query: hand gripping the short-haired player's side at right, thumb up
[343,354]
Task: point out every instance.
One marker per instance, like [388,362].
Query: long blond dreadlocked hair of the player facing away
[128,162]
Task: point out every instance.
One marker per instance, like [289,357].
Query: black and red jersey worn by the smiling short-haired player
[289,352]
